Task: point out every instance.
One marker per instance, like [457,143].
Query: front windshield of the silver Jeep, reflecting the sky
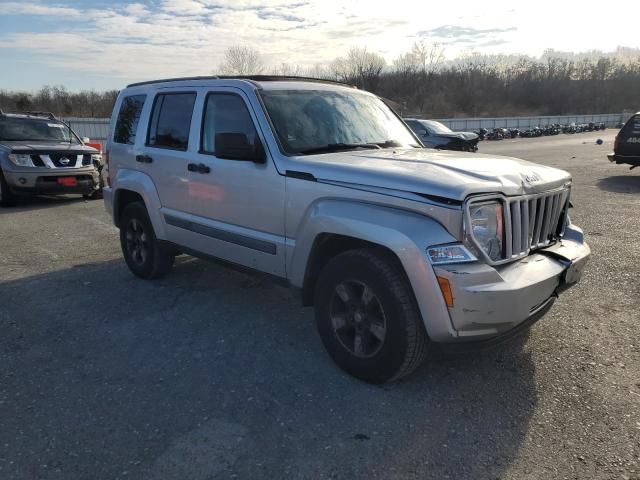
[319,121]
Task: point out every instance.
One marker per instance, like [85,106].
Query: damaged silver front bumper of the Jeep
[491,301]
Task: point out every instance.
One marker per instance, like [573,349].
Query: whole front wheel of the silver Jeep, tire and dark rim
[393,341]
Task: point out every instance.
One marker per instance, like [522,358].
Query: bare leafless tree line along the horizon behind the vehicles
[423,82]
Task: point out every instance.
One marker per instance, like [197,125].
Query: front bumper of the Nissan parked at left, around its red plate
[46,182]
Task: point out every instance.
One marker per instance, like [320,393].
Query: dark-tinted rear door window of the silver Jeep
[171,120]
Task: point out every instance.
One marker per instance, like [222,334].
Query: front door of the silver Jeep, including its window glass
[237,205]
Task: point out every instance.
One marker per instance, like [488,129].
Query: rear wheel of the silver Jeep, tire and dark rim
[146,257]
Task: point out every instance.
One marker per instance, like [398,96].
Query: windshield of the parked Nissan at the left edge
[31,129]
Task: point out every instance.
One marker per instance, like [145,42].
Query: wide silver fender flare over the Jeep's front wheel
[405,233]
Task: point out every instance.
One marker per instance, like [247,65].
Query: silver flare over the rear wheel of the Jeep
[142,184]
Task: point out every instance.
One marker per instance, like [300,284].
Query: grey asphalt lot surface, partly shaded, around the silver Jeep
[211,373]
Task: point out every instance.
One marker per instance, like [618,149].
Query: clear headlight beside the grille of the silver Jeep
[487,227]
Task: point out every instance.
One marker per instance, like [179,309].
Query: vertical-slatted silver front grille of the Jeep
[536,221]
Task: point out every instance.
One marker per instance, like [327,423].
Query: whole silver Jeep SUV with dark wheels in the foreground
[396,246]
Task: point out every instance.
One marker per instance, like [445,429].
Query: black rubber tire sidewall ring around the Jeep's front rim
[385,364]
